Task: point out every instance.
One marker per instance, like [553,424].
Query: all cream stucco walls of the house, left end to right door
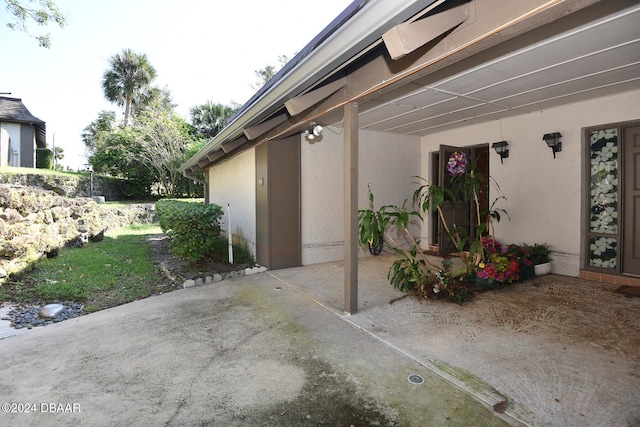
[544,195]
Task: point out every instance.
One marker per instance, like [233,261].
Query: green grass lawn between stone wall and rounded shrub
[104,274]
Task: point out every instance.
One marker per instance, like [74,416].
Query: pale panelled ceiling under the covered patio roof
[537,70]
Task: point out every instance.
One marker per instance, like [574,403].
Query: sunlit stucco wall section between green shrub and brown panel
[233,183]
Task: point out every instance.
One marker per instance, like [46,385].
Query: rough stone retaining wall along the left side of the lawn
[36,223]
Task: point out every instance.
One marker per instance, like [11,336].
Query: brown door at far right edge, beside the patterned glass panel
[631,201]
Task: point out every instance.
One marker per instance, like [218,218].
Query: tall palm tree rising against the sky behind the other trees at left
[128,80]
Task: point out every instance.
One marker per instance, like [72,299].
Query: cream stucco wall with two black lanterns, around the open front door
[544,195]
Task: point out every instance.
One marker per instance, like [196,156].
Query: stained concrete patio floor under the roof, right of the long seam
[563,351]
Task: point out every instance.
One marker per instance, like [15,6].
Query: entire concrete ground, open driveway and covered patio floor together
[276,349]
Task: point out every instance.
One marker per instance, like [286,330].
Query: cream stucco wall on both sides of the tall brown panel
[387,162]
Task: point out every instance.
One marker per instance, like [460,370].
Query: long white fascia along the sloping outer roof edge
[366,27]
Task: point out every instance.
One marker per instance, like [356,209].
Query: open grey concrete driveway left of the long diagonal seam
[245,351]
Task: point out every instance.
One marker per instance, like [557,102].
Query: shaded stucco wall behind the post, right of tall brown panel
[387,162]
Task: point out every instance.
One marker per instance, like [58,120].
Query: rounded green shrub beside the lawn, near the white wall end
[191,227]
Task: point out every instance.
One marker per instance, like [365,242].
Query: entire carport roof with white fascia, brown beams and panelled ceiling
[491,59]
